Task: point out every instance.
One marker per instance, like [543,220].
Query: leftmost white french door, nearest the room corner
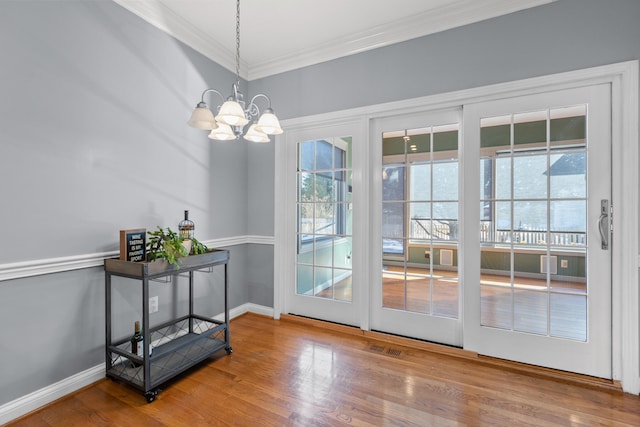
[322,195]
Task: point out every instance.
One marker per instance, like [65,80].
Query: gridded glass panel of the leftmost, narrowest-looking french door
[324,219]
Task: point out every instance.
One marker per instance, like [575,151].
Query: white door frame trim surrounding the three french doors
[625,140]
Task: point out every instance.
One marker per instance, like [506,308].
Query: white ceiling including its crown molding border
[282,35]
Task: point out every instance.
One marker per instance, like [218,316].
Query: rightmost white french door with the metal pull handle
[537,241]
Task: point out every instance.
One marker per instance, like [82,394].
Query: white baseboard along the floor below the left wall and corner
[32,401]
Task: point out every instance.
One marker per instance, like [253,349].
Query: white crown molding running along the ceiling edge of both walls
[455,14]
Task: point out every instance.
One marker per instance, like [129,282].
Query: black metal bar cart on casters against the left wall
[178,344]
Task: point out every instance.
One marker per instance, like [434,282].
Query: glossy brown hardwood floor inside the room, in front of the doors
[293,373]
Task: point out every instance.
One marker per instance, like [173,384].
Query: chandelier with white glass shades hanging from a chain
[234,114]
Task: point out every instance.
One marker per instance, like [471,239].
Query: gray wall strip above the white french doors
[561,36]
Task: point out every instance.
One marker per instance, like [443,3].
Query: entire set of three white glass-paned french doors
[484,227]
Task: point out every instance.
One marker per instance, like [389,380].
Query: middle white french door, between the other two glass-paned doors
[415,206]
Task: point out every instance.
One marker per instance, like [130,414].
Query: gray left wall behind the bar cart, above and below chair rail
[93,138]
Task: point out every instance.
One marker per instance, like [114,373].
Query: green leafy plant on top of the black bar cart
[167,245]
